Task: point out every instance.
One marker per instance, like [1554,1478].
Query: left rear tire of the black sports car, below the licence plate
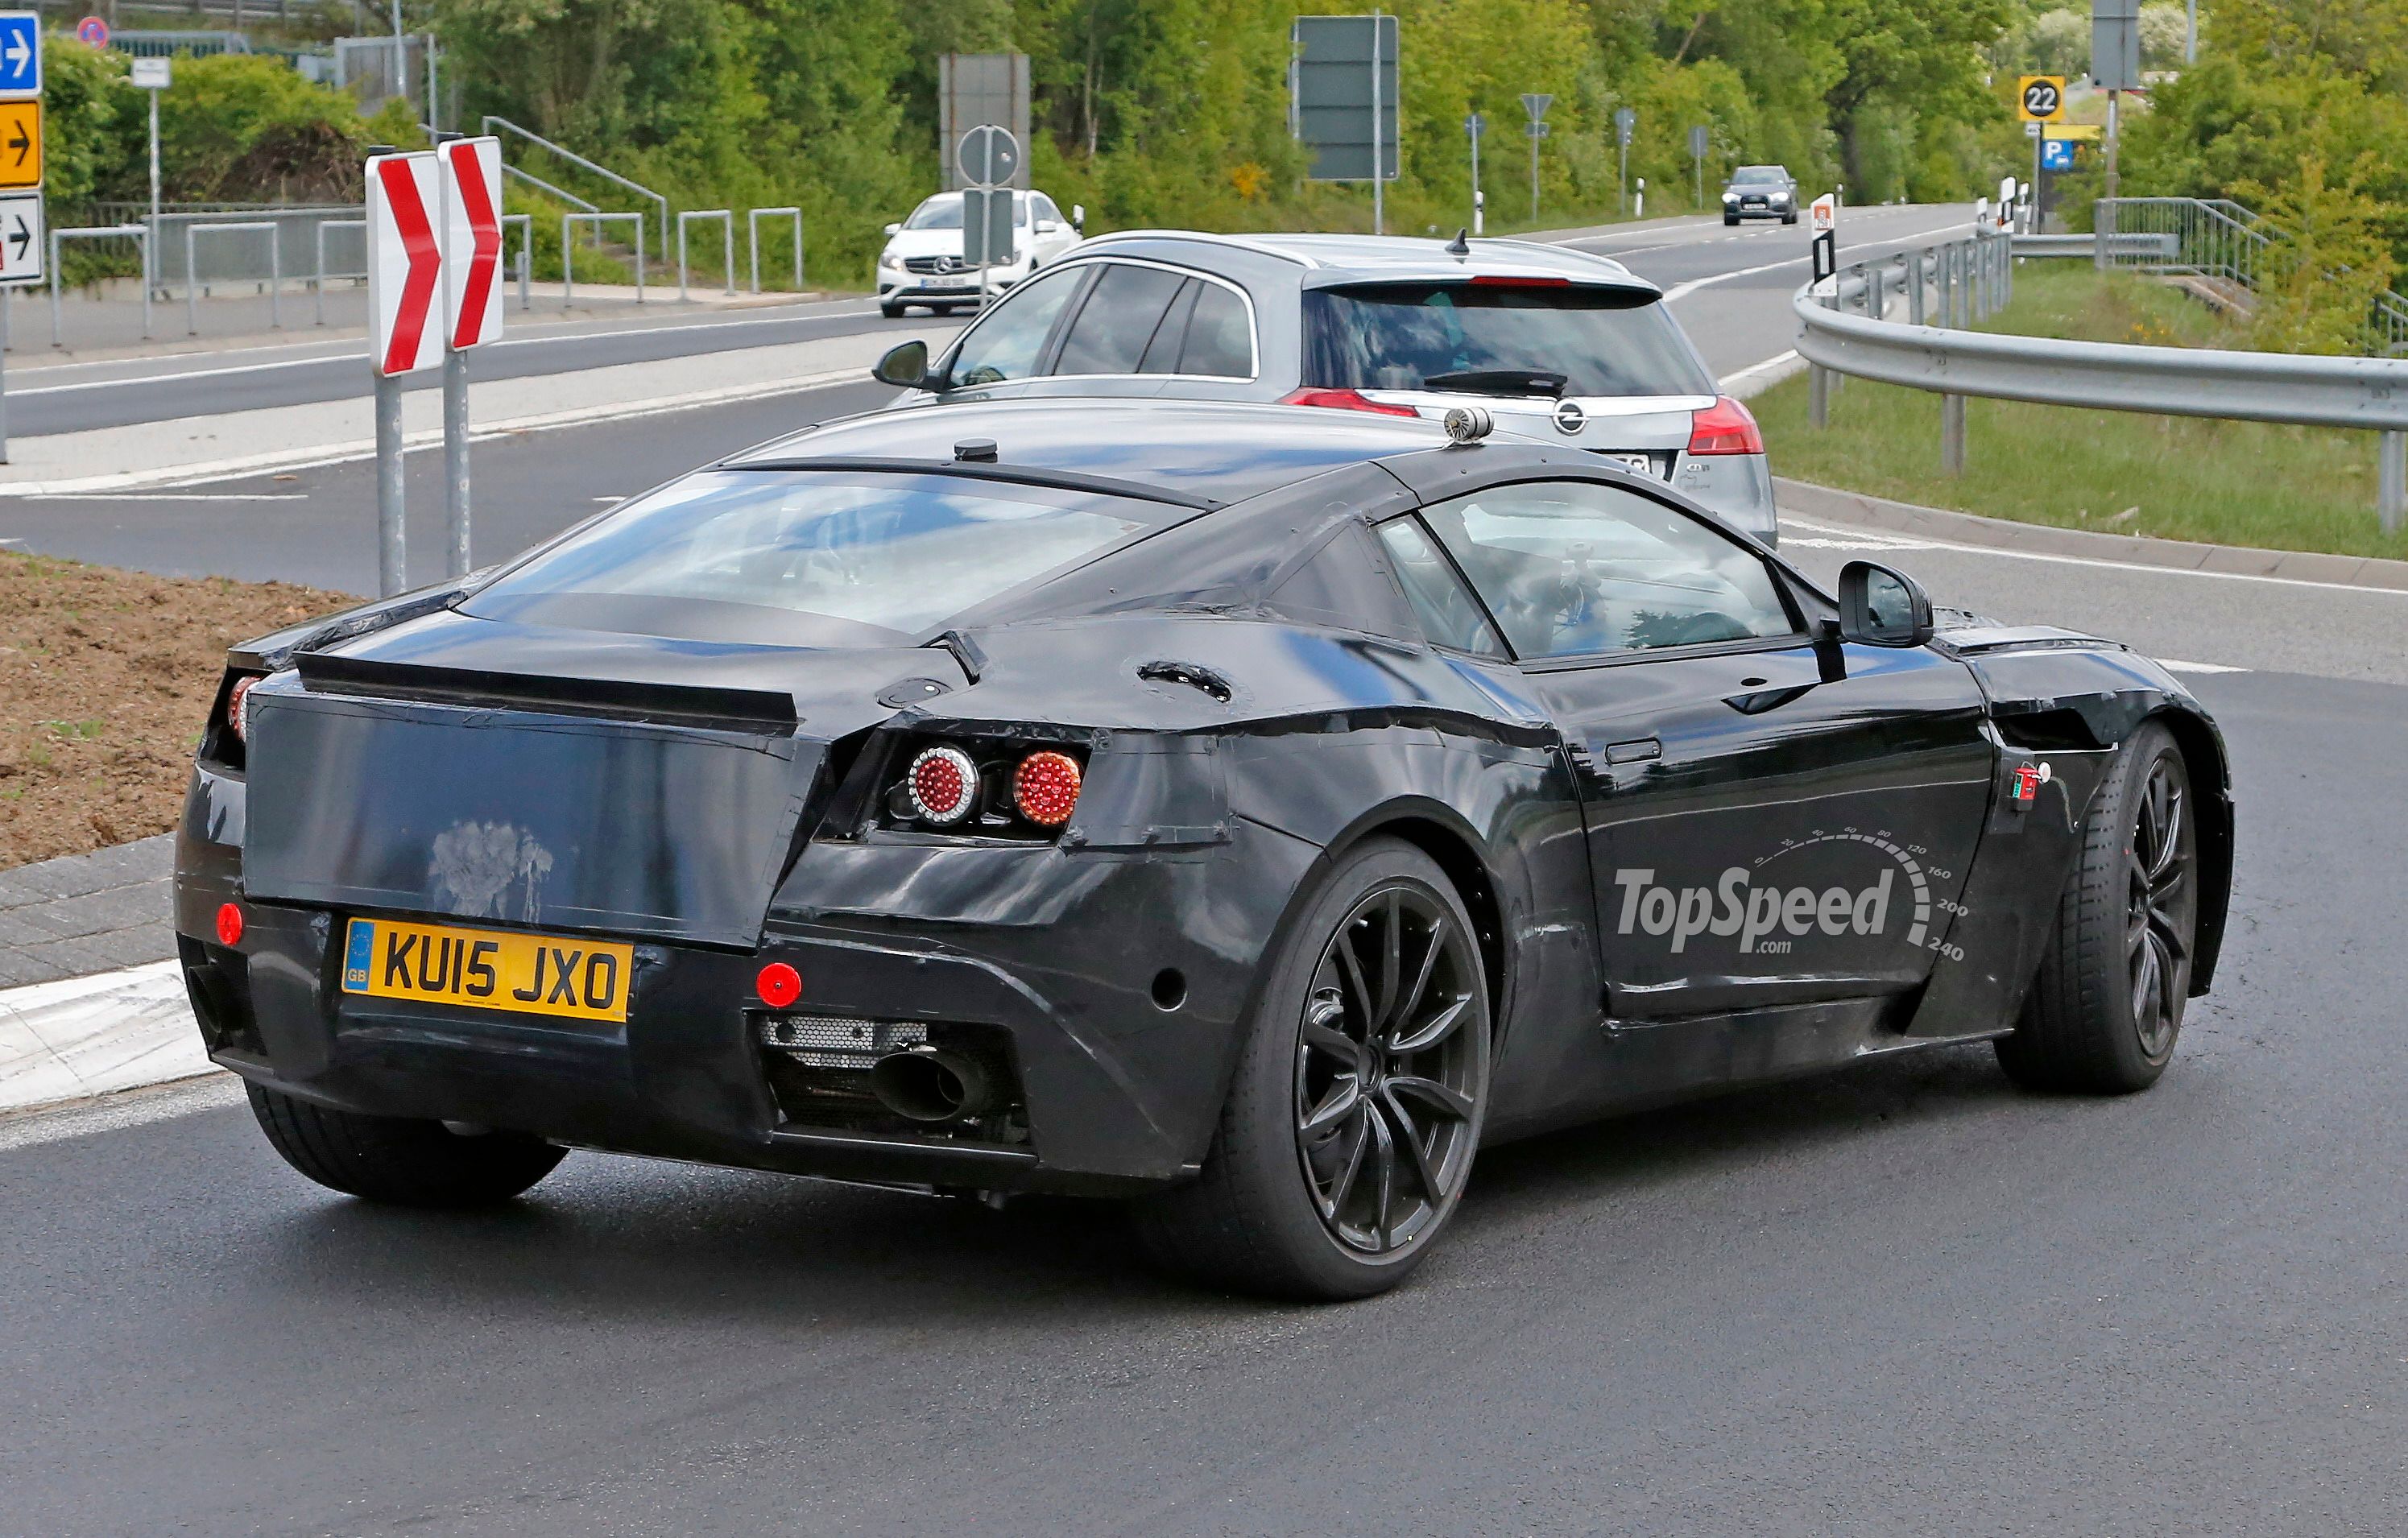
[396,1159]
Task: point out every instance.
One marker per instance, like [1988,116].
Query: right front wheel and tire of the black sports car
[2106,1007]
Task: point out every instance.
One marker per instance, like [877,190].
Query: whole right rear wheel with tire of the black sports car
[1359,1099]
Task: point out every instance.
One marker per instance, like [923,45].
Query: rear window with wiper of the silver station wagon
[1398,336]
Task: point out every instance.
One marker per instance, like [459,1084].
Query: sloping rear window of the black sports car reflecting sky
[803,557]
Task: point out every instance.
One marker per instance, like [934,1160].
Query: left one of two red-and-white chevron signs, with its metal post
[406,326]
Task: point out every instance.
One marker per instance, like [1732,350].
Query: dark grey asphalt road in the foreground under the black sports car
[1896,1301]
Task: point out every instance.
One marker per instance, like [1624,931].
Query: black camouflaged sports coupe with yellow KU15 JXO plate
[1237,810]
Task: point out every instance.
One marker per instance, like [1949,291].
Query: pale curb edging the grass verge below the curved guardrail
[2135,550]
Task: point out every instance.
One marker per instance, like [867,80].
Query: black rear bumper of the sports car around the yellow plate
[1114,1094]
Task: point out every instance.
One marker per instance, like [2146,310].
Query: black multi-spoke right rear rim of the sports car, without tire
[1386,1077]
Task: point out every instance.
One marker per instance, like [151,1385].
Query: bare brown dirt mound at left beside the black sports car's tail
[105,685]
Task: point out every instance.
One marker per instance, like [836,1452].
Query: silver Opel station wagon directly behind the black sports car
[1557,345]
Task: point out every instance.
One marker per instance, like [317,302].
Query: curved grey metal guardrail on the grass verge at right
[2103,377]
